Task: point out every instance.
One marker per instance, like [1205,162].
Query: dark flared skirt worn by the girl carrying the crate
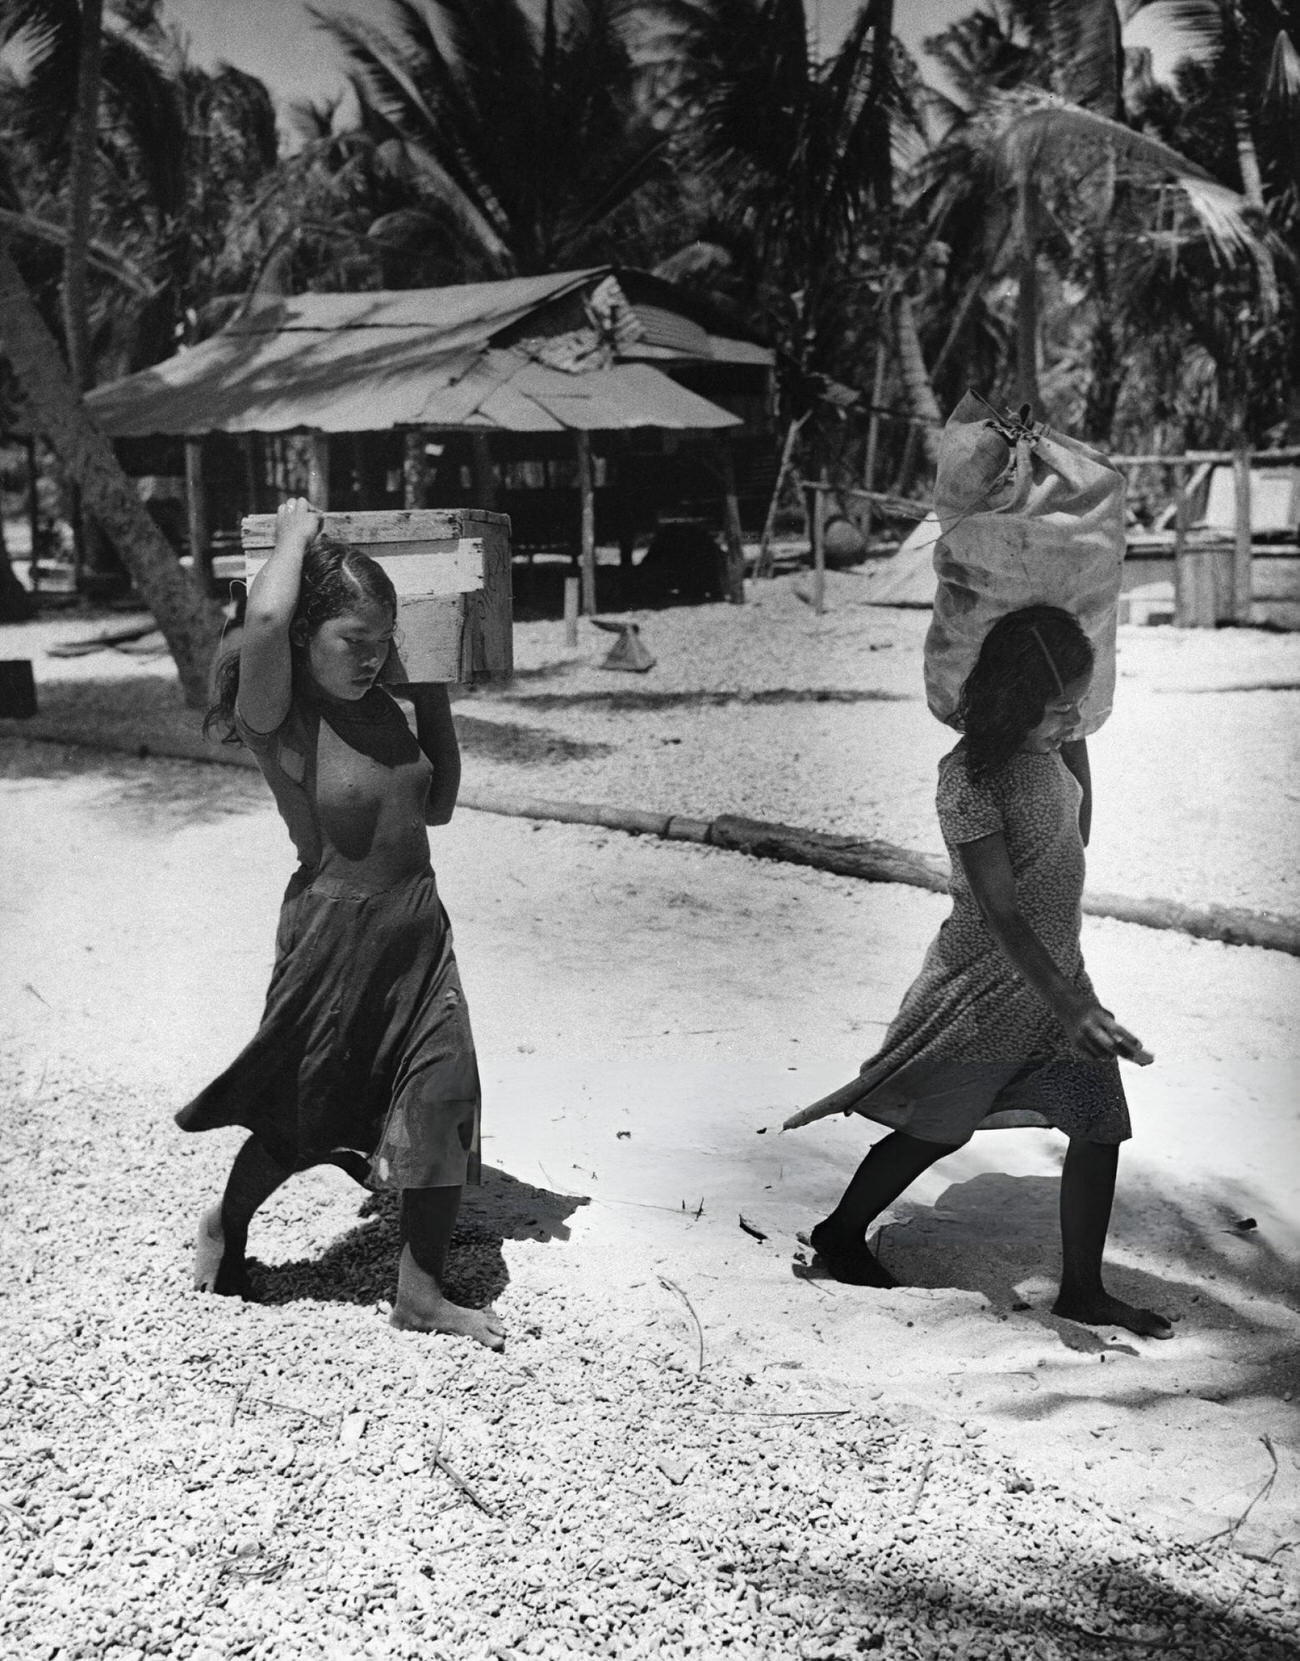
[364,1046]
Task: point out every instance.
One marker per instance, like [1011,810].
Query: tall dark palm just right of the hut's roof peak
[788,159]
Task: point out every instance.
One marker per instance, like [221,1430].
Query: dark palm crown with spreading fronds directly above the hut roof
[511,140]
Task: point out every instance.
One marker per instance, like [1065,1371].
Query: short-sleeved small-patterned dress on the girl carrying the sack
[974,1047]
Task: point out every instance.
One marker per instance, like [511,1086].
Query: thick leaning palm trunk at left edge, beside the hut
[190,622]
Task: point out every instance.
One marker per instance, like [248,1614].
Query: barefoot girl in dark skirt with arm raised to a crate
[364,1057]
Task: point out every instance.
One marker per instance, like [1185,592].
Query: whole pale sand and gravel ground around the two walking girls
[690,1448]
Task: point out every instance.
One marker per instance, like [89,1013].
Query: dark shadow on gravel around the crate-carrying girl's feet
[361,1268]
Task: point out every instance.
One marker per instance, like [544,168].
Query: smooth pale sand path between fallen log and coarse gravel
[725,994]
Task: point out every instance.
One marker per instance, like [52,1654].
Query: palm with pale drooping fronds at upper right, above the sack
[1032,187]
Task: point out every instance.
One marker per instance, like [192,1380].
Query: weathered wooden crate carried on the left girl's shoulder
[451,569]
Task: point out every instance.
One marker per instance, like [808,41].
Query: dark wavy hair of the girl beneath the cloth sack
[1012,684]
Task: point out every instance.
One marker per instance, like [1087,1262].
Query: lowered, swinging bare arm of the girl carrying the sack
[1093,1031]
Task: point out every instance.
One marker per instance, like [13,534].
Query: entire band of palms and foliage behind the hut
[1025,207]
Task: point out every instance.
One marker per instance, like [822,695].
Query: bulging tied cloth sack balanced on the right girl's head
[1027,517]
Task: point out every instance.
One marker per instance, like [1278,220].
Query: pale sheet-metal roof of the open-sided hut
[423,358]
